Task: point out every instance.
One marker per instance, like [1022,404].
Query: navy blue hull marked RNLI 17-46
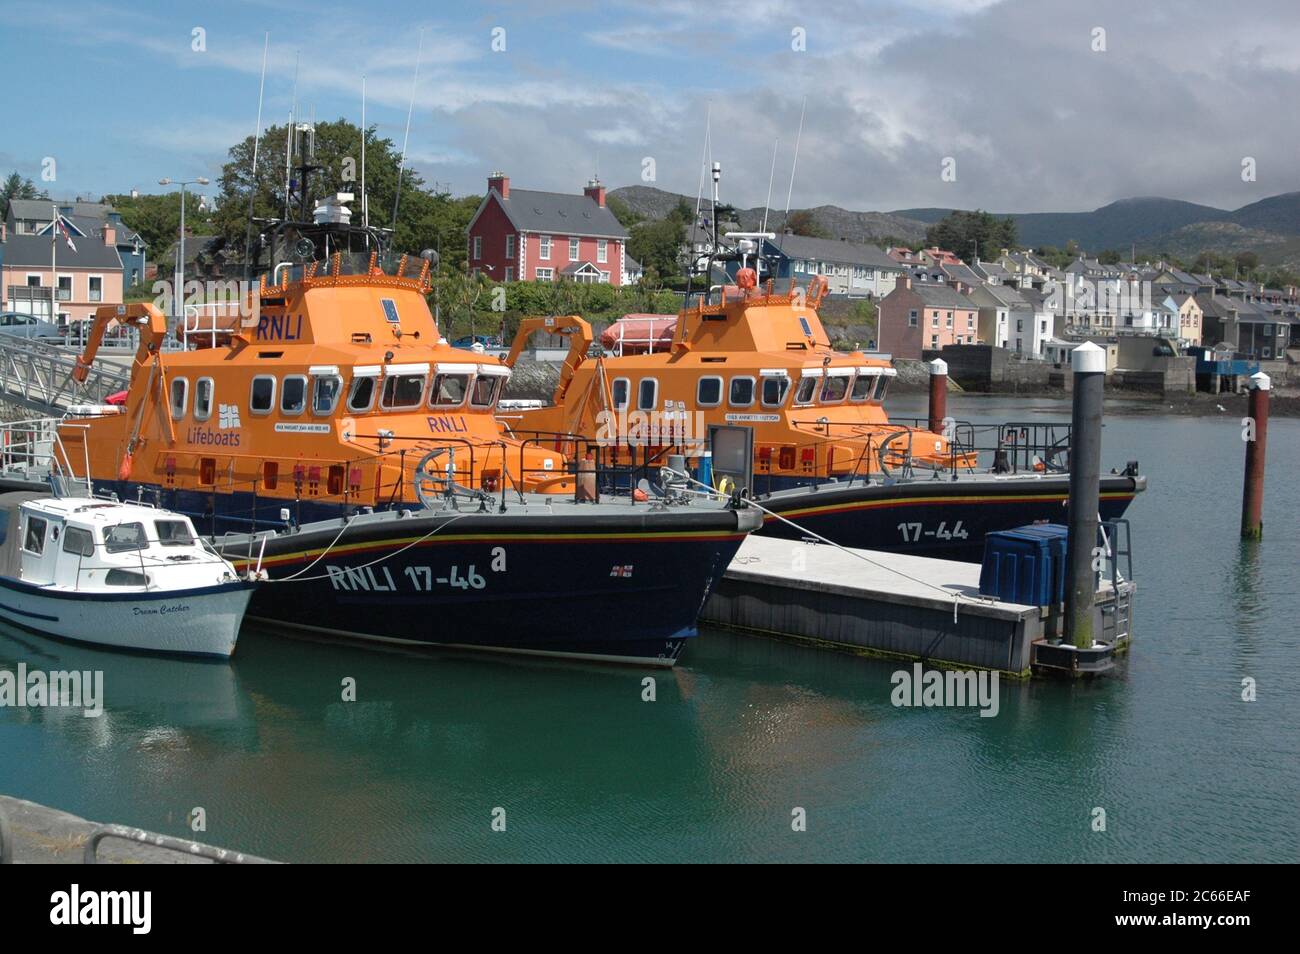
[613,586]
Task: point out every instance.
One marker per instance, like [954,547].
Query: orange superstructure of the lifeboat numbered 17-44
[749,355]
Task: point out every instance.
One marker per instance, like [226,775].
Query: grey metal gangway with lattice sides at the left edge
[38,376]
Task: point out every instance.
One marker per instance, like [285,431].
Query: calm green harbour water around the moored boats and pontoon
[746,731]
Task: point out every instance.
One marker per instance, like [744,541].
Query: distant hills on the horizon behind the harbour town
[1150,223]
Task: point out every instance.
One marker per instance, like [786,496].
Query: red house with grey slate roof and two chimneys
[519,235]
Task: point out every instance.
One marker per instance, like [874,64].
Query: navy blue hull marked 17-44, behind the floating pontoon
[942,519]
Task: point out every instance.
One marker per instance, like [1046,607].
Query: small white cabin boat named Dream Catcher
[120,575]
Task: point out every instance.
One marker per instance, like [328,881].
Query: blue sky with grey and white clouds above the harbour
[1041,105]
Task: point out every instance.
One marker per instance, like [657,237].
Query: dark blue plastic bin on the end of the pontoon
[1026,565]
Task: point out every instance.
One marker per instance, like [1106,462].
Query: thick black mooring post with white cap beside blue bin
[1090,372]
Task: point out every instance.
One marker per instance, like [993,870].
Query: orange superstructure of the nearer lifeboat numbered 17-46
[330,389]
